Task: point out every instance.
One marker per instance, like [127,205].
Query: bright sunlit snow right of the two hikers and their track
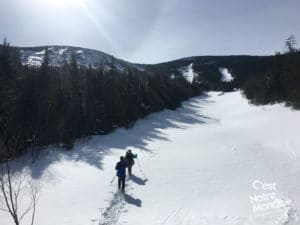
[204,173]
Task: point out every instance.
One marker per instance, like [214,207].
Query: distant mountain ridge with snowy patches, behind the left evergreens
[203,69]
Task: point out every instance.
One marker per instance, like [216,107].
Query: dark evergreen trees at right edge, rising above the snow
[279,81]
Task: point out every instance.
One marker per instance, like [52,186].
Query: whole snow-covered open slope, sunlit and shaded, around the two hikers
[209,162]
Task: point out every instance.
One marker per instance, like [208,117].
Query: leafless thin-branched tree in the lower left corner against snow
[18,191]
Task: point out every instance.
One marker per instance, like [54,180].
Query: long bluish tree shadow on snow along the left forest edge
[145,131]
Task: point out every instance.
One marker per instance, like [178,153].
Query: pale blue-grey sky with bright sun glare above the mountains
[152,31]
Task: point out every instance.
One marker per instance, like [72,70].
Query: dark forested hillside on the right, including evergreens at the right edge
[263,79]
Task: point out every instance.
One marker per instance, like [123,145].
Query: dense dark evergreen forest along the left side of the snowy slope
[56,105]
